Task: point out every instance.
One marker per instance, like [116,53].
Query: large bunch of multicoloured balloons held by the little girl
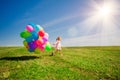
[35,38]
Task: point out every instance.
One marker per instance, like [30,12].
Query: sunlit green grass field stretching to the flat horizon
[77,63]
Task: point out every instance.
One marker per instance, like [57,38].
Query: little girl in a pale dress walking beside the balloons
[57,46]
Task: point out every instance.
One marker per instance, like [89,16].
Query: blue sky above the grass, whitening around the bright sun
[76,21]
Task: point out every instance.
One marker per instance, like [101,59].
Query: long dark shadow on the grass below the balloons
[21,58]
